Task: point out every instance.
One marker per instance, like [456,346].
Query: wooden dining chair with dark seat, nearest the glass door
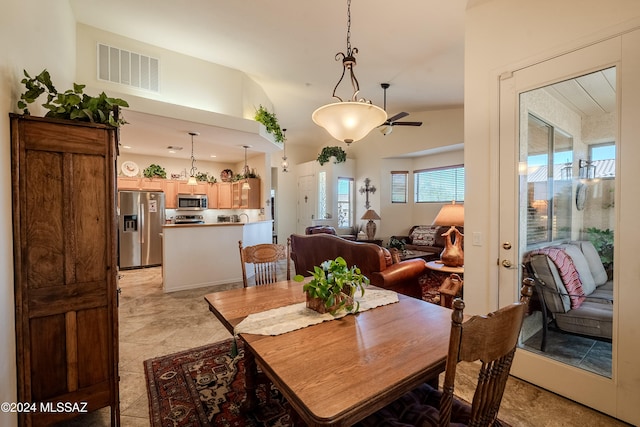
[492,339]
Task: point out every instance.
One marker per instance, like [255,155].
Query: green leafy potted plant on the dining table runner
[333,287]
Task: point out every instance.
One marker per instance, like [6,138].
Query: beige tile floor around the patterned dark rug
[153,323]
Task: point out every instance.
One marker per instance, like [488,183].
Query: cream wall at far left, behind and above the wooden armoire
[32,37]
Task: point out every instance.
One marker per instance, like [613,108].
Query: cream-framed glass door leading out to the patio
[544,144]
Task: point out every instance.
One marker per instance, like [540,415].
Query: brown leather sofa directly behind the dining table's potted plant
[374,261]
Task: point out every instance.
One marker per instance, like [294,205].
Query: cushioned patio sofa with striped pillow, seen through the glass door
[573,289]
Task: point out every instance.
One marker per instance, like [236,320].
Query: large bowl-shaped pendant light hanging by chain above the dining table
[352,120]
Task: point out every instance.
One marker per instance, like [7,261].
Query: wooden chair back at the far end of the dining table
[264,257]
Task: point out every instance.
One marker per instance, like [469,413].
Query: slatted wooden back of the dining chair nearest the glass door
[492,339]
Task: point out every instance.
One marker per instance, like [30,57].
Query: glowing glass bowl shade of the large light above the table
[349,121]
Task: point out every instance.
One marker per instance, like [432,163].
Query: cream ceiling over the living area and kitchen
[288,48]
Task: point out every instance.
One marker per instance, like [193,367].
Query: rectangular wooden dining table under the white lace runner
[338,372]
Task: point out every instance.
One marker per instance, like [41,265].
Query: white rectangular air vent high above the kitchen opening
[127,68]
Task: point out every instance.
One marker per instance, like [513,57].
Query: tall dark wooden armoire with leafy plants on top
[65,242]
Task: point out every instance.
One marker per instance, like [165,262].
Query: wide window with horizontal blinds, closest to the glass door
[439,185]
